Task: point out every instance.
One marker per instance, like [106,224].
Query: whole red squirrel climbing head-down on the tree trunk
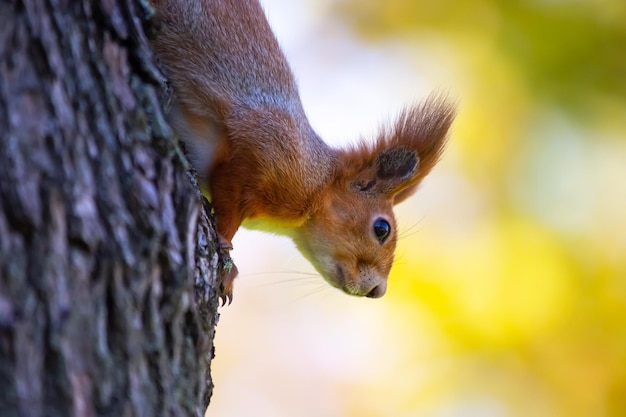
[237,109]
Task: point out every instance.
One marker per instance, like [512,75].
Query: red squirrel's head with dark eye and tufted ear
[351,235]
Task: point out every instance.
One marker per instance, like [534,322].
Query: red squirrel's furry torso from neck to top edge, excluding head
[237,109]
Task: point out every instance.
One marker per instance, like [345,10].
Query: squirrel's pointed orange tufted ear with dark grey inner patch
[405,153]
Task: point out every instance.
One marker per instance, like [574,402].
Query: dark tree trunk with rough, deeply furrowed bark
[107,252]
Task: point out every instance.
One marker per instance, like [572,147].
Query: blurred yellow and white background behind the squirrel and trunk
[508,297]
